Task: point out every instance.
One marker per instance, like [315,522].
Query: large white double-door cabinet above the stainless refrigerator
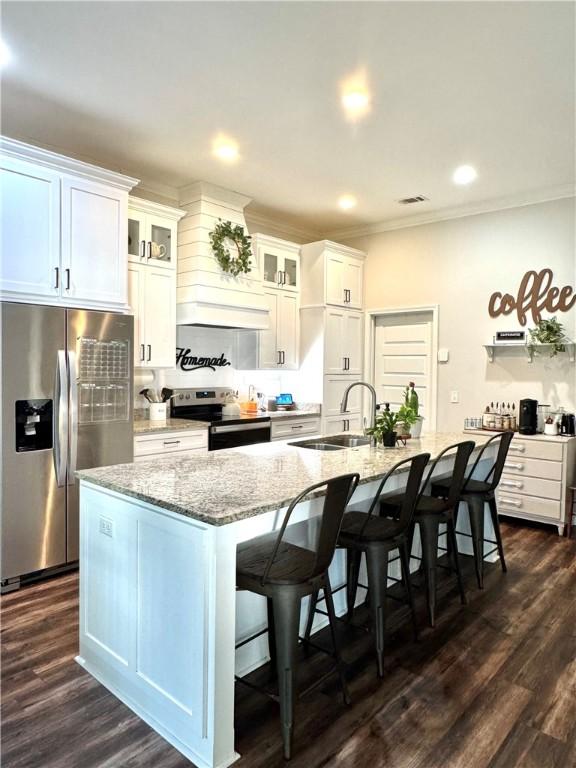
[63,230]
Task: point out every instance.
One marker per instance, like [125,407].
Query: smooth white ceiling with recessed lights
[143,87]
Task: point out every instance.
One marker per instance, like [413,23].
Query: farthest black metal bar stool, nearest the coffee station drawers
[475,494]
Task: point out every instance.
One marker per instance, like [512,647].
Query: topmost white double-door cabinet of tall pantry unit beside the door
[332,274]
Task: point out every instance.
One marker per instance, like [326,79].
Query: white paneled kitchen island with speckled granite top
[159,612]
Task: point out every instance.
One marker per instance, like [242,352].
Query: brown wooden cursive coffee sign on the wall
[536,294]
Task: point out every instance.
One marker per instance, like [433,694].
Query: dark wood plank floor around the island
[493,686]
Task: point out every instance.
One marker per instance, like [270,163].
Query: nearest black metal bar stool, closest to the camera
[284,573]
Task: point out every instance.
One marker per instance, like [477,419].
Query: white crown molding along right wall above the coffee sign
[458,212]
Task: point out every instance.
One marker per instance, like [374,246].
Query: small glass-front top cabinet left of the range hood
[152,233]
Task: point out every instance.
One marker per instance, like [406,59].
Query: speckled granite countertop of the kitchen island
[221,487]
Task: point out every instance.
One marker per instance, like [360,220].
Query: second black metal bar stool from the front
[365,533]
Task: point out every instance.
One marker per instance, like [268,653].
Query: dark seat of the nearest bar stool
[292,564]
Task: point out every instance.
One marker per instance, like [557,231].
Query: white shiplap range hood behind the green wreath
[206,295]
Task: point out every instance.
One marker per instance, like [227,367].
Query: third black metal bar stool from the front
[429,513]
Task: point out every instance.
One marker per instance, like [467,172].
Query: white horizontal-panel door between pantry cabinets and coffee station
[402,353]
